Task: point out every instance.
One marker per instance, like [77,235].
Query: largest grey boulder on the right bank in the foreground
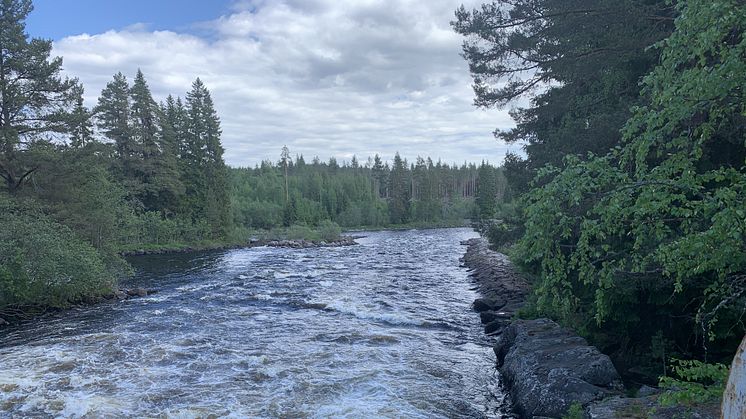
[549,368]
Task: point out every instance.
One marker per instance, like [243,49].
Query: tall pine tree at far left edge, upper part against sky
[35,98]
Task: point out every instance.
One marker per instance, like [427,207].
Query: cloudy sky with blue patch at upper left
[325,77]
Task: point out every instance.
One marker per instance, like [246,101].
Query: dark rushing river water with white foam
[382,329]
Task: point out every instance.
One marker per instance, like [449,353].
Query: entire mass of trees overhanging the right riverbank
[632,214]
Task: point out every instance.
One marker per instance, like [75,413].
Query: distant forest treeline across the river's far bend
[351,194]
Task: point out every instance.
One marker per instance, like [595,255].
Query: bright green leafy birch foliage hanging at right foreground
[652,236]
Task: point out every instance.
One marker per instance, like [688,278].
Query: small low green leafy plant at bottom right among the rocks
[698,383]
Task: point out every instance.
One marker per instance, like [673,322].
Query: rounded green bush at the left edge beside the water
[43,262]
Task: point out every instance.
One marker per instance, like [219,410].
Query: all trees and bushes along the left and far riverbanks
[83,186]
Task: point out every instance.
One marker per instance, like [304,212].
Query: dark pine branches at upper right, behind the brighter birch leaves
[585,57]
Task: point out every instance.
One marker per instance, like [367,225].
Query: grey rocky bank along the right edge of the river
[547,368]
